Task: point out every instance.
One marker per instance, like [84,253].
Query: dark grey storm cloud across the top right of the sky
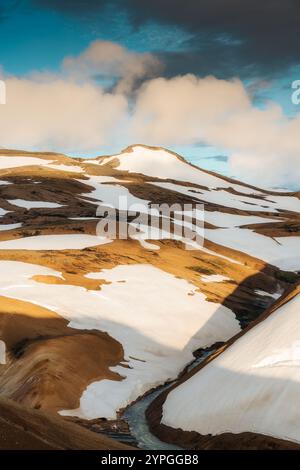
[228,37]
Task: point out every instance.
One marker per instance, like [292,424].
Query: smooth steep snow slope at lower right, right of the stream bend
[253,386]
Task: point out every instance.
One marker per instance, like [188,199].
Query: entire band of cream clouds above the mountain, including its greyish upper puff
[71,112]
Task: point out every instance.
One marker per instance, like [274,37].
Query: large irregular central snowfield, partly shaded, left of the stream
[150,312]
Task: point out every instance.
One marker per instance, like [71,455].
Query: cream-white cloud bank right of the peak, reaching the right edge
[263,144]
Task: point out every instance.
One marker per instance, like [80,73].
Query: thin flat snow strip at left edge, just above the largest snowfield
[54,242]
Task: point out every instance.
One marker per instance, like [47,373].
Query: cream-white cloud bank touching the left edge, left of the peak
[59,114]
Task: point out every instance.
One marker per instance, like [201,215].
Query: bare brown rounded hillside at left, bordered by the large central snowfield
[48,364]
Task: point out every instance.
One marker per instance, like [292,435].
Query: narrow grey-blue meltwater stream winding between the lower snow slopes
[136,418]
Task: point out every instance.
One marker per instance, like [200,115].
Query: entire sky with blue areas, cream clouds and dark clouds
[210,79]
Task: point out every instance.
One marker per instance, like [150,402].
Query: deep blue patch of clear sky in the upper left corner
[33,38]
